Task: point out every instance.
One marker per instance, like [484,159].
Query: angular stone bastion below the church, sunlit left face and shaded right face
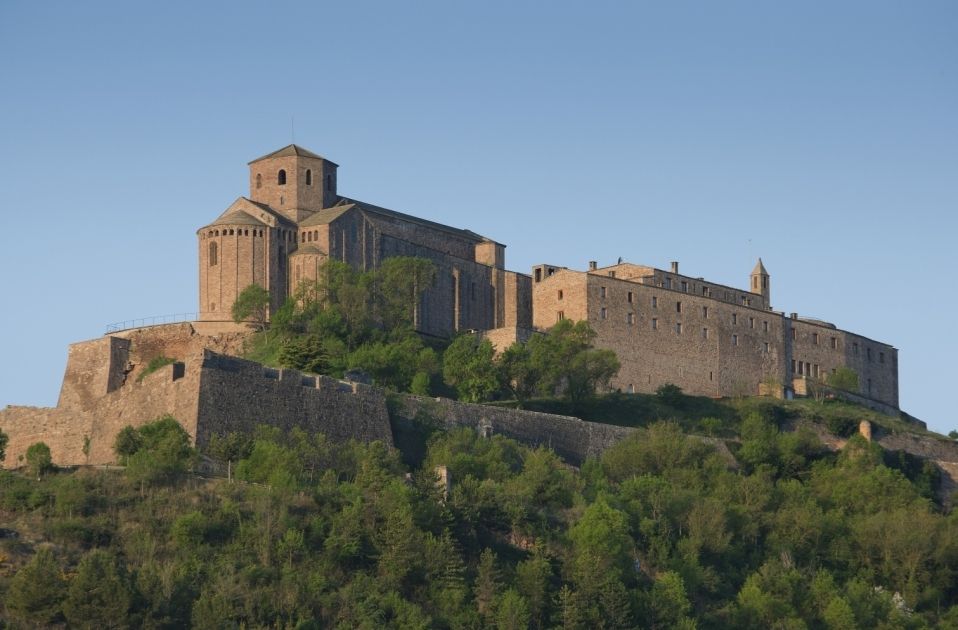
[105,389]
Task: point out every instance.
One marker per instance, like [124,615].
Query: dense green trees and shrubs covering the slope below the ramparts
[661,532]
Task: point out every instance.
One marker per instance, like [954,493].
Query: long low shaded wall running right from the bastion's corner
[571,438]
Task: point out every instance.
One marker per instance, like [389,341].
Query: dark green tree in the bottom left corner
[37,591]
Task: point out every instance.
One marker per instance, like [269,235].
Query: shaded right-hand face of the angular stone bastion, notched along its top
[236,395]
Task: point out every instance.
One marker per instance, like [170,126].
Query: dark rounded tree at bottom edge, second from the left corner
[99,595]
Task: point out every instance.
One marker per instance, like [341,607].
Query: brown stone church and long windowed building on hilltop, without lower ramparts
[665,327]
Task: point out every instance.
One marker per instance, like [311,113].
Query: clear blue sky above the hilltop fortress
[822,136]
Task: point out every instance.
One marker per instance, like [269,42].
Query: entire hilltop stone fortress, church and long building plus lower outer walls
[665,327]
